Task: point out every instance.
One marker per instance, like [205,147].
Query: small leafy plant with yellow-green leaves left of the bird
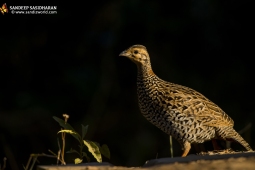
[93,147]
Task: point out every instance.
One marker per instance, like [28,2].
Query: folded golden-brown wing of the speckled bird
[194,104]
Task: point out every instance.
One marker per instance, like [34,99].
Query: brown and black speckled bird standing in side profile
[177,110]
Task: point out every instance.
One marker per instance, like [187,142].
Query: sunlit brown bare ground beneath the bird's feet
[223,160]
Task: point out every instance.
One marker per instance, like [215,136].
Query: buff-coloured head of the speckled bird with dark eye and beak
[138,54]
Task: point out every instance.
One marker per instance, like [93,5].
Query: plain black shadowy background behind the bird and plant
[69,63]
